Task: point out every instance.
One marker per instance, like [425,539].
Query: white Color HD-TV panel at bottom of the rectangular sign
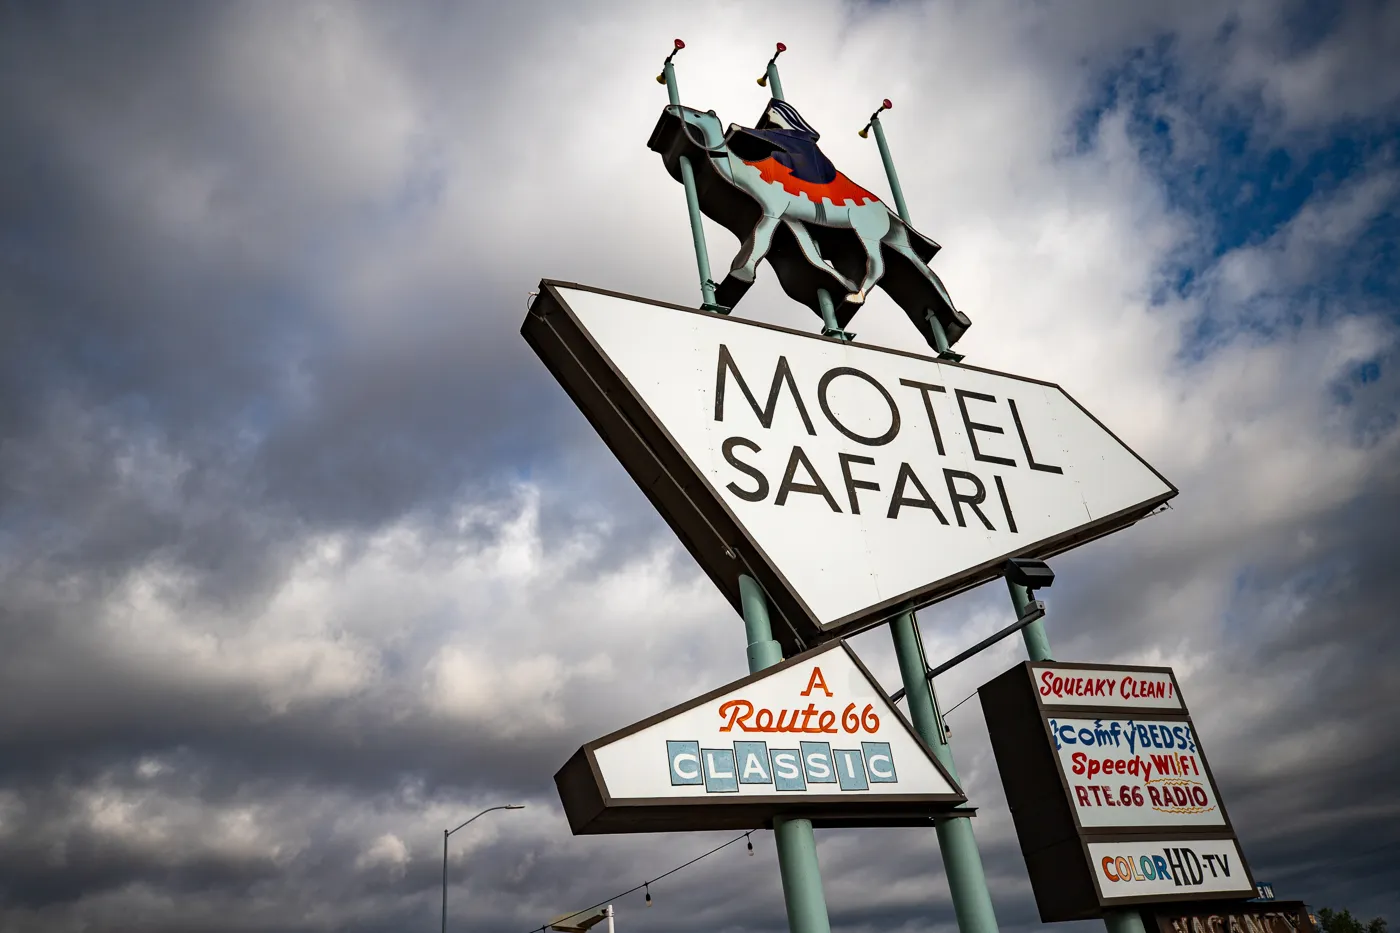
[1177,868]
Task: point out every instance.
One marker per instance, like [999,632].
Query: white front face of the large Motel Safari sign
[908,471]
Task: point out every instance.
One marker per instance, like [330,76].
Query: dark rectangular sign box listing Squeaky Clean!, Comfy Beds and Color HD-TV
[1109,788]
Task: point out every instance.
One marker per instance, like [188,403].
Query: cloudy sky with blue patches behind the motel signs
[304,557]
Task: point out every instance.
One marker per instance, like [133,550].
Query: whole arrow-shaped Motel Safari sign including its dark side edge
[853,483]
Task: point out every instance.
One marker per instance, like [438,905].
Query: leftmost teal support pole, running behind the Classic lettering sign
[796,841]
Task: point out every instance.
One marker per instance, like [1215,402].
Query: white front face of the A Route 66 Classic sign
[814,729]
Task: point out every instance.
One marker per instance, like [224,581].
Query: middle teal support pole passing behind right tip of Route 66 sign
[957,843]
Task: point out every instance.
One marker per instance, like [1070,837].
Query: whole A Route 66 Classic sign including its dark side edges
[811,738]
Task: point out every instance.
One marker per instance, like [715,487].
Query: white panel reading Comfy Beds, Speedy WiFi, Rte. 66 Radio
[1135,774]
